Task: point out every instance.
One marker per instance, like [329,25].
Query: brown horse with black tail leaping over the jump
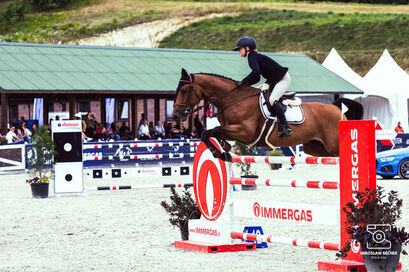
[241,119]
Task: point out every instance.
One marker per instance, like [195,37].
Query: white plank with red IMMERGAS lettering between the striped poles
[288,212]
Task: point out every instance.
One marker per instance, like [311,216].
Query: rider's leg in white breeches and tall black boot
[279,89]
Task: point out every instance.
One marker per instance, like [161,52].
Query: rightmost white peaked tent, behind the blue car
[386,80]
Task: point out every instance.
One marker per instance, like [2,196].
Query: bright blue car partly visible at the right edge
[393,162]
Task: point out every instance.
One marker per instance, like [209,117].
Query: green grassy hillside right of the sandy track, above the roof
[294,31]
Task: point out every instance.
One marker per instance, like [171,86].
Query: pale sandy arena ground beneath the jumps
[129,231]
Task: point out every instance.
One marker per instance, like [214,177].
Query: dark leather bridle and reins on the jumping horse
[188,110]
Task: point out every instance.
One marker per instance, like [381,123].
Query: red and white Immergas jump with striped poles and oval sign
[216,231]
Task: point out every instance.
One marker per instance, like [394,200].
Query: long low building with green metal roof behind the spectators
[72,76]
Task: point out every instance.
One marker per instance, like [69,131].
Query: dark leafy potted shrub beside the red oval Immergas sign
[181,209]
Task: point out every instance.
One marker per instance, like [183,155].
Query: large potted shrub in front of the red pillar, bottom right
[372,223]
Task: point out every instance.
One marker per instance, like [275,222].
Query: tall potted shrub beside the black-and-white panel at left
[41,155]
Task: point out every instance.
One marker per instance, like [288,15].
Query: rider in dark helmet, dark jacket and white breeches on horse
[278,79]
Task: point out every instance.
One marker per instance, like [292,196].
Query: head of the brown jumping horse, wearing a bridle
[187,96]
